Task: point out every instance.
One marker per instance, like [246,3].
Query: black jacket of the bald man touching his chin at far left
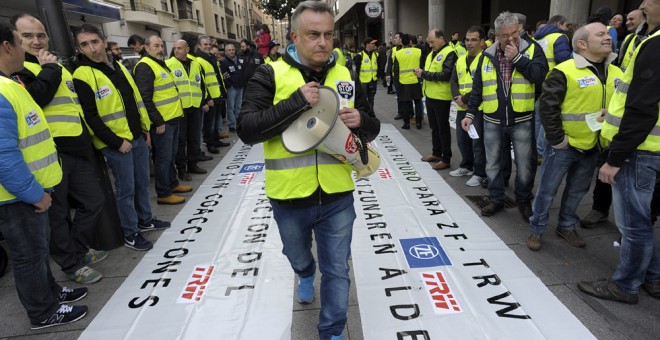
[42,88]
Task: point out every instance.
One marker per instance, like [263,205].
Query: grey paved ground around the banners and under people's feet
[558,265]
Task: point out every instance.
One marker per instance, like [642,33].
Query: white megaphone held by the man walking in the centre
[320,128]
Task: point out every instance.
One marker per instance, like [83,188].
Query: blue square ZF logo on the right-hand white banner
[424,252]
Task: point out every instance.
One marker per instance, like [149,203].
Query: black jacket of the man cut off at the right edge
[641,113]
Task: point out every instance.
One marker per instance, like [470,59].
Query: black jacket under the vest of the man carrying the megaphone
[260,120]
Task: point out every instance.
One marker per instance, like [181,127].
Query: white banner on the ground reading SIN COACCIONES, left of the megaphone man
[218,273]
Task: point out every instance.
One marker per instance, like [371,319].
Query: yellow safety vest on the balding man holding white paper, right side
[582,83]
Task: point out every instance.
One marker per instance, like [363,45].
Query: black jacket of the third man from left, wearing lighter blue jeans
[87,99]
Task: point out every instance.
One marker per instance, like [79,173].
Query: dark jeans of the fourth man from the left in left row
[165,147]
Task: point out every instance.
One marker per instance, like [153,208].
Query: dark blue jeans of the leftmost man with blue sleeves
[27,235]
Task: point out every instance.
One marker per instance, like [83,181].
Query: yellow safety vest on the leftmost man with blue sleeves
[34,139]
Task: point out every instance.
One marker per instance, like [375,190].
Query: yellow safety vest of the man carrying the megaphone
[290,176]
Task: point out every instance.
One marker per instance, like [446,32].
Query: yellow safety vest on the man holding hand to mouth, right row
[521,92]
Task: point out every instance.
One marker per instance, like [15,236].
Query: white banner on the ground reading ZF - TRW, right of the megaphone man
[427,267]
